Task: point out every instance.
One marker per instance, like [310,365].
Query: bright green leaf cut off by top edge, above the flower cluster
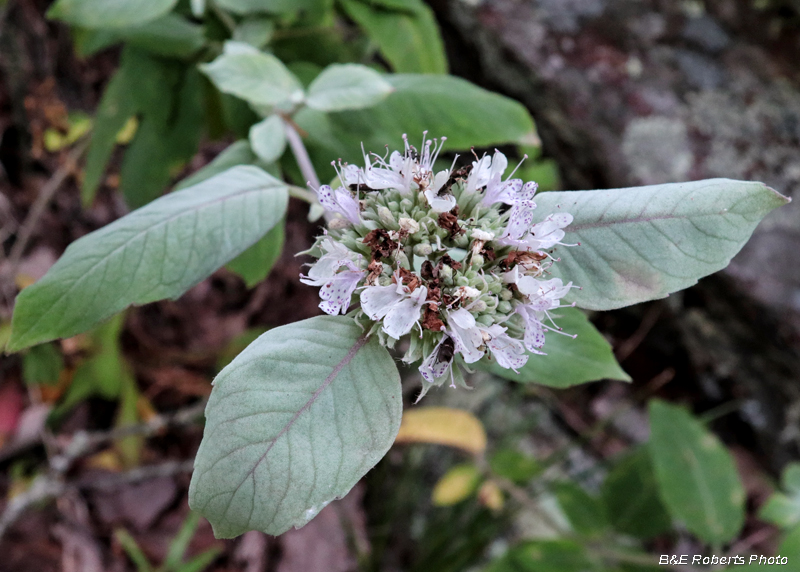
[408,39]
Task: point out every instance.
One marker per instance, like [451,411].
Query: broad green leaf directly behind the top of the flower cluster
[442,105]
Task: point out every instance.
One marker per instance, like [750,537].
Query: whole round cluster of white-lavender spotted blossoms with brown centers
[453,256]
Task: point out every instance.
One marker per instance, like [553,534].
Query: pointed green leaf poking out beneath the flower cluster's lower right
[569,361]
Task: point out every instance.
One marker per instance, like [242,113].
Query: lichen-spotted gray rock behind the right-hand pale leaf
[636,92]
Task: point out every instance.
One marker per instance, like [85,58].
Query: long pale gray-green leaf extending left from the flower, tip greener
[156,252]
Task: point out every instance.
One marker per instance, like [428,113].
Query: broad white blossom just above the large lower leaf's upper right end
[399,309]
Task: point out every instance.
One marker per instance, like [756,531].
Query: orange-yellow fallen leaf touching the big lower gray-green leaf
[443,426]
